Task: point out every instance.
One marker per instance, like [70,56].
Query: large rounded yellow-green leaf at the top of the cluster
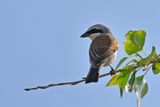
[134,41]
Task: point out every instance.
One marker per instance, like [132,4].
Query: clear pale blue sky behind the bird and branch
[40,43]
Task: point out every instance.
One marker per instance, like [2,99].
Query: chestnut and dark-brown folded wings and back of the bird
[99,50]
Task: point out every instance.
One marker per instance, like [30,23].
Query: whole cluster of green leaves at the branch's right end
[137,62]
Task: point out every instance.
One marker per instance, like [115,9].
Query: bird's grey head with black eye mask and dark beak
[95,31]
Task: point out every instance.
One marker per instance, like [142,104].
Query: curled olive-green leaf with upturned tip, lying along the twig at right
[148,59]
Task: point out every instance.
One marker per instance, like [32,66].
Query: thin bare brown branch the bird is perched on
[68,83]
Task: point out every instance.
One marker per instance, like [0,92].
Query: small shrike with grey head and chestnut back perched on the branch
[102,51]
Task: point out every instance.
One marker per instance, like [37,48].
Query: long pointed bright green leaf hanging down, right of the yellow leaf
[123,78]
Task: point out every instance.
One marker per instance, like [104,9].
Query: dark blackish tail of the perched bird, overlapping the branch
[92,75]
